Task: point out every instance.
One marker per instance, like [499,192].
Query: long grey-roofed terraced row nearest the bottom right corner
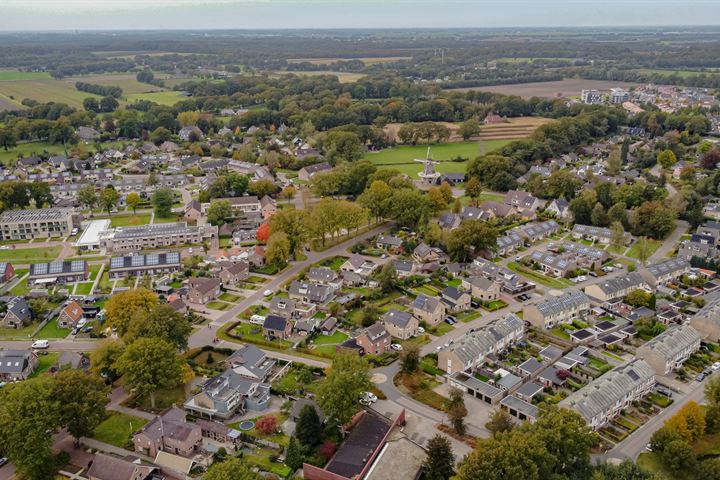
[605,397]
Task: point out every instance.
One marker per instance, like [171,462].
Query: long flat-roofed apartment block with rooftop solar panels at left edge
[39,223]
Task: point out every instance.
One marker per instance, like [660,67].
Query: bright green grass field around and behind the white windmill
[403,157]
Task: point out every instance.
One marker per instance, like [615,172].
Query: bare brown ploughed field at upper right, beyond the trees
[570,87]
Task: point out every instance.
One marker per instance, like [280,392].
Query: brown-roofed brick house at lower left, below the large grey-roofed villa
[168,432]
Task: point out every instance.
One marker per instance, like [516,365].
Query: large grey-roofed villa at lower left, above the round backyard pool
[227,394]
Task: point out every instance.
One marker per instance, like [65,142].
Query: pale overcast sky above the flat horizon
[254,14]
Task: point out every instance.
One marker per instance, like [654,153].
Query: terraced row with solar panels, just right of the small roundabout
[469,352]
